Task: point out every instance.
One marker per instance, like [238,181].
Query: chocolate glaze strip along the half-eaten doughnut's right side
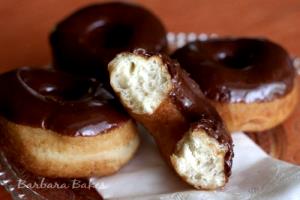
[197,111]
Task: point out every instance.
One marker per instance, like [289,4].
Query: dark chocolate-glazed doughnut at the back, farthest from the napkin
[86,41]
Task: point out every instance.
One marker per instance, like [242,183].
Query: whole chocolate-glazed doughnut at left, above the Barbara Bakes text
[56,125]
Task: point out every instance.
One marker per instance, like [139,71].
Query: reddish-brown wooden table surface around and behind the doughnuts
[25,26]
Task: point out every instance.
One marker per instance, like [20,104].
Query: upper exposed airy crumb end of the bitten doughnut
[142,83]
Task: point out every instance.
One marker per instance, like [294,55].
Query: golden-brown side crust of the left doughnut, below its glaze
[50,154]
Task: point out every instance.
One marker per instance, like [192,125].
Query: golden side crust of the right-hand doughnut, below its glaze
[258,116]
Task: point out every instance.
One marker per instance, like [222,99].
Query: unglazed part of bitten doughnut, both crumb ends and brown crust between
[144,91]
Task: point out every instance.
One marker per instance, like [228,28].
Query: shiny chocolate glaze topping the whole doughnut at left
[58,102]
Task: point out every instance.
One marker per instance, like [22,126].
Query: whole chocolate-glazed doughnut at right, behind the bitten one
[251,82]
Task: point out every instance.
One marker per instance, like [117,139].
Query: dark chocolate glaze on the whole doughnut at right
[238,70]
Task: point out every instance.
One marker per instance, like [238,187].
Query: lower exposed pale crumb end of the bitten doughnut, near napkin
[199,159]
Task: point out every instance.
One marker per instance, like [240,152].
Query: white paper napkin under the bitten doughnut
[255,175]
